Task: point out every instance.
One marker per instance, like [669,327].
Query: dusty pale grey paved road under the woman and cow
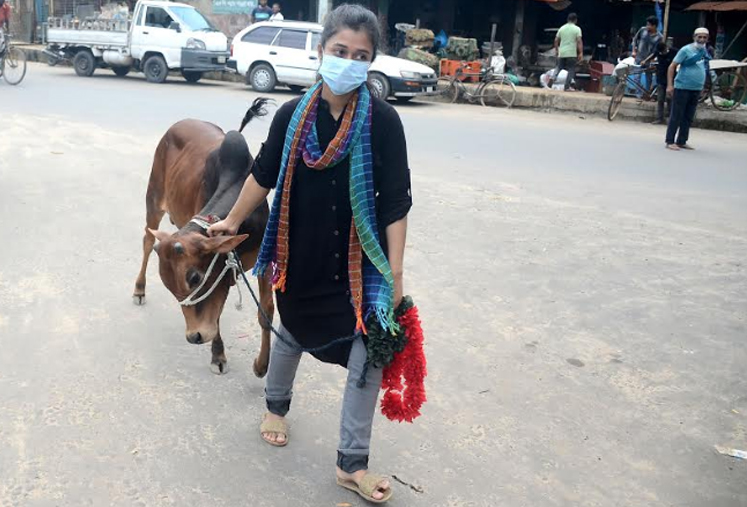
[583,292]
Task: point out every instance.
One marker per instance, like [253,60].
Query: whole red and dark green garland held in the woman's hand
[403,361]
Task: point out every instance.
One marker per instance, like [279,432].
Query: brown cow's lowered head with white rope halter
[184,259]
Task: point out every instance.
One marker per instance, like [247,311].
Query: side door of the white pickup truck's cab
[152,33]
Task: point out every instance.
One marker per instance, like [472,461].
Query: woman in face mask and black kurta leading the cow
[336,237]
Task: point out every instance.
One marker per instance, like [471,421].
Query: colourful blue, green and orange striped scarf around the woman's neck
[371,280]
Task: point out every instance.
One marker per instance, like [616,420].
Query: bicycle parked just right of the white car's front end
[494,89]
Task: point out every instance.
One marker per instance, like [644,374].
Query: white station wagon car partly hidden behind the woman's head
[273,53]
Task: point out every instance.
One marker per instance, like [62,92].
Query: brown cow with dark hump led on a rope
[198,172]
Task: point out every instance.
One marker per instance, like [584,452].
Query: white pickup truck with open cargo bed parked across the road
[160,36]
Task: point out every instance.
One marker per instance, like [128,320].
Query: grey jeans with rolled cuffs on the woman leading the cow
[358,404]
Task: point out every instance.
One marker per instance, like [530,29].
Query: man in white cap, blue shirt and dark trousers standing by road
[685,89]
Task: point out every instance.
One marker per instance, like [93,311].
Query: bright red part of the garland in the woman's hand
[404,392]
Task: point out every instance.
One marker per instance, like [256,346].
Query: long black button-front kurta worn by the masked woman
[315,307]
